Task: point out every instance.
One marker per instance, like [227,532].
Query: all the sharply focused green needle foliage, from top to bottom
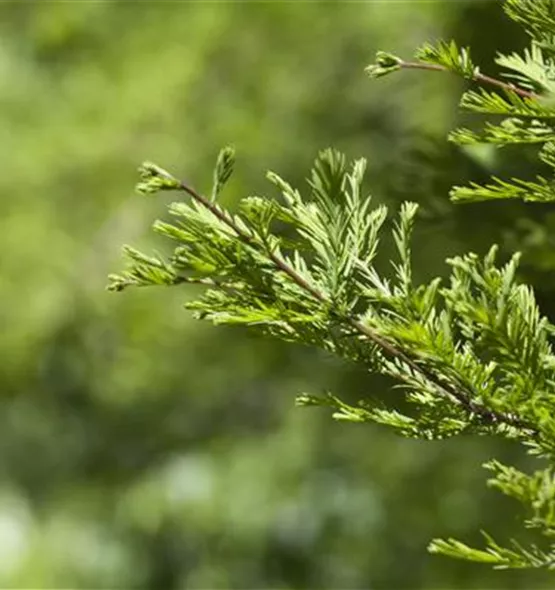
[472,353]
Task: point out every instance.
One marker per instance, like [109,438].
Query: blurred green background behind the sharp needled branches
[142,449]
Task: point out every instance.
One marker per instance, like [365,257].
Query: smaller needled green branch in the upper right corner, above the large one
[527,104]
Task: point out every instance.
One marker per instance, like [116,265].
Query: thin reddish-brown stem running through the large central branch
[449,391]
